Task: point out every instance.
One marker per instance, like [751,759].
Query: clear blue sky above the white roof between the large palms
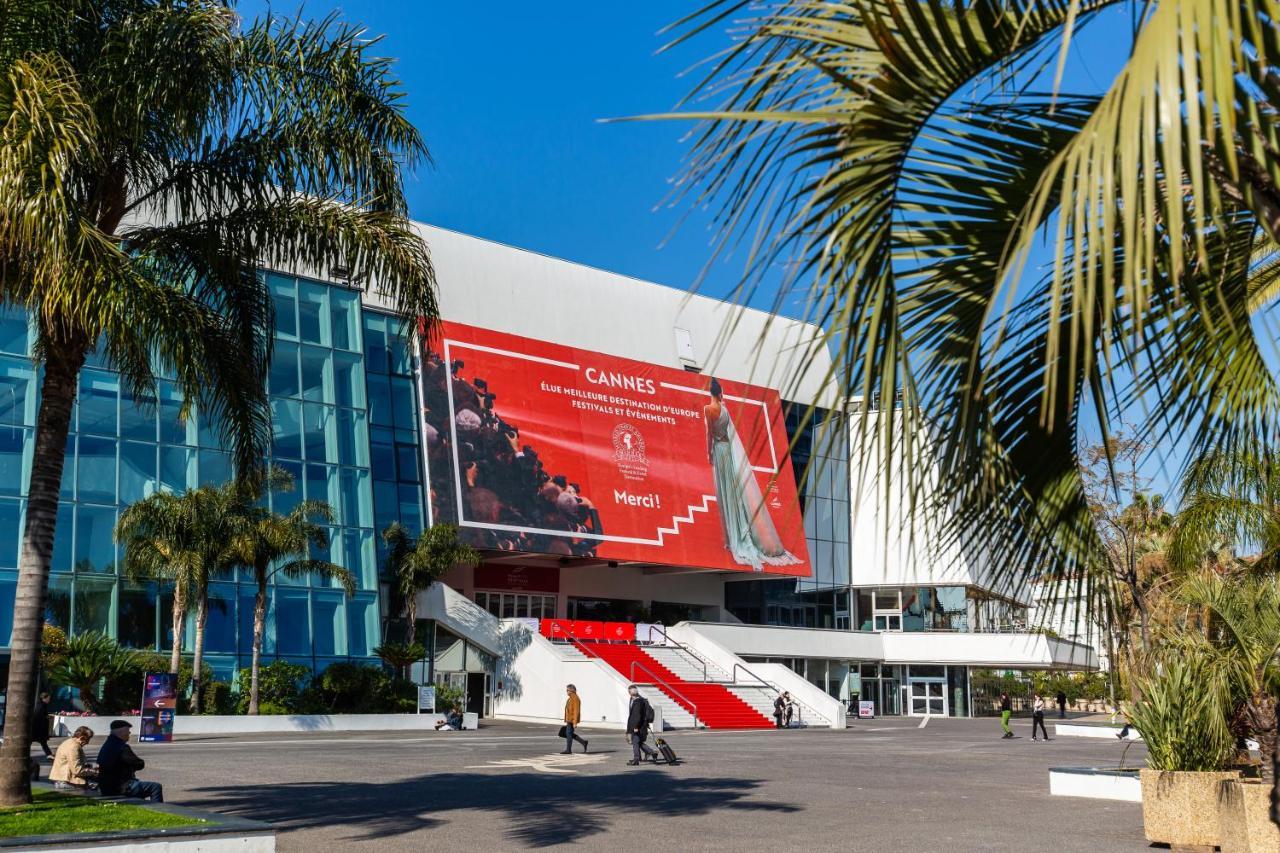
[510,98]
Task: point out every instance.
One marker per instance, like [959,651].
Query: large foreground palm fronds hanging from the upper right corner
[902,159]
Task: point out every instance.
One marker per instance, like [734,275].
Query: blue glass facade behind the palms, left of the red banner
[344,410]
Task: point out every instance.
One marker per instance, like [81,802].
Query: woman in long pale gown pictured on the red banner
[749,533]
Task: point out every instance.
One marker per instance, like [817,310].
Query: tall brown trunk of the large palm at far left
[57,398]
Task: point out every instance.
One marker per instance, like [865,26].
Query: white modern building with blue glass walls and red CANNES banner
[387,427]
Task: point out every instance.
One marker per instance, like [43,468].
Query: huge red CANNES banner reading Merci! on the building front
[546,449]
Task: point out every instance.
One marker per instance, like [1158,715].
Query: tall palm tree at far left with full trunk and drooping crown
[156,157]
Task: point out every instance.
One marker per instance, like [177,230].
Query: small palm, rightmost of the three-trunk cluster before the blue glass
[273,545]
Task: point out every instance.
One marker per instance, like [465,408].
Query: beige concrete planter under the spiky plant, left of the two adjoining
[1182,809]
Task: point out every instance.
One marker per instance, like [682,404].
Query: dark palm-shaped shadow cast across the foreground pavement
[542,810]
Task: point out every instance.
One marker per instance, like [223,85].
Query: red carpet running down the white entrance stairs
[714,705]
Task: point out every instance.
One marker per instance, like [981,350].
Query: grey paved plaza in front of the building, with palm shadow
[885,784]
